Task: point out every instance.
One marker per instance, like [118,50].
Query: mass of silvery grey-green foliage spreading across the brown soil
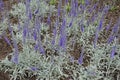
[57,63]
